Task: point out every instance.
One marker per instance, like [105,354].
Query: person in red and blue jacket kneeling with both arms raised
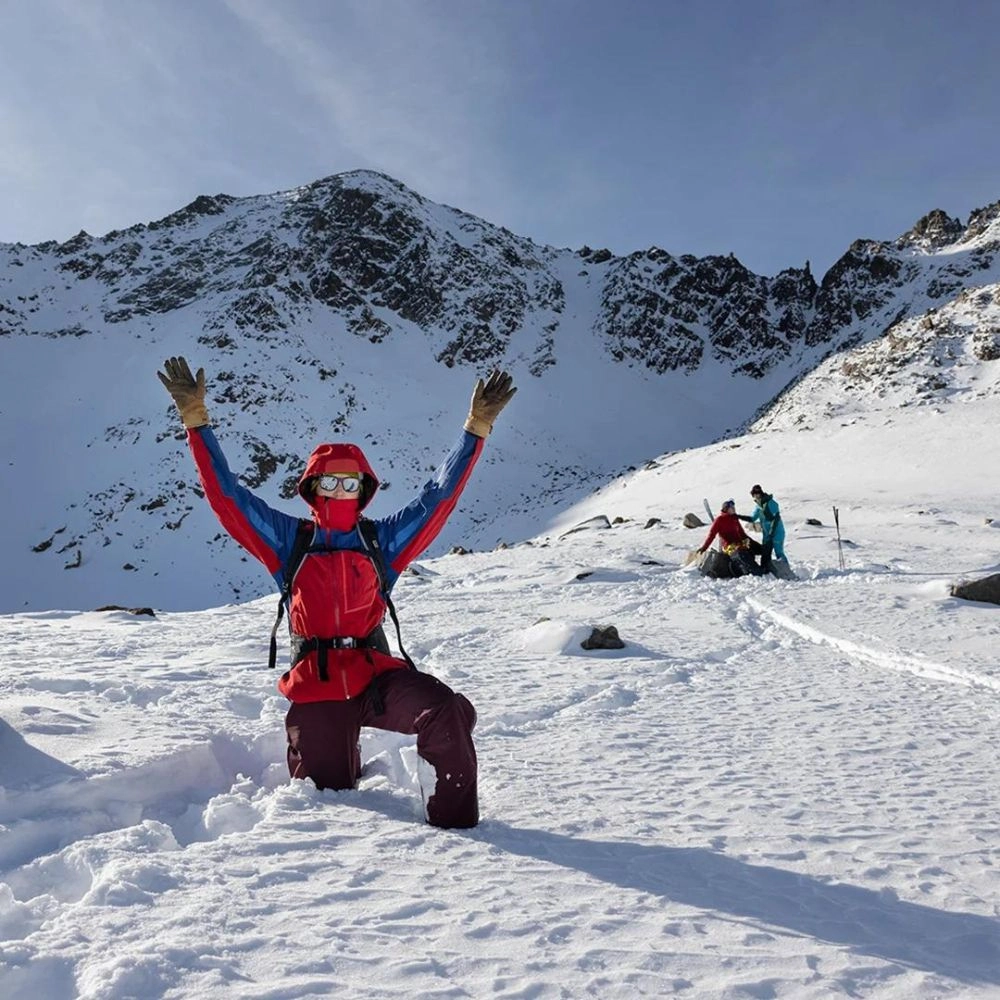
[342,675]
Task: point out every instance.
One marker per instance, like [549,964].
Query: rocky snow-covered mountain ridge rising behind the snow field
[354,308]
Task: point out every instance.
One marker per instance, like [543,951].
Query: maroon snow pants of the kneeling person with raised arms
[323,739]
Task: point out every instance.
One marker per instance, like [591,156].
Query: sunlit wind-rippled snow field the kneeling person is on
[775,790]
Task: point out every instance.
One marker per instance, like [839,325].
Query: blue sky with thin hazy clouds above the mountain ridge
[779,131]
